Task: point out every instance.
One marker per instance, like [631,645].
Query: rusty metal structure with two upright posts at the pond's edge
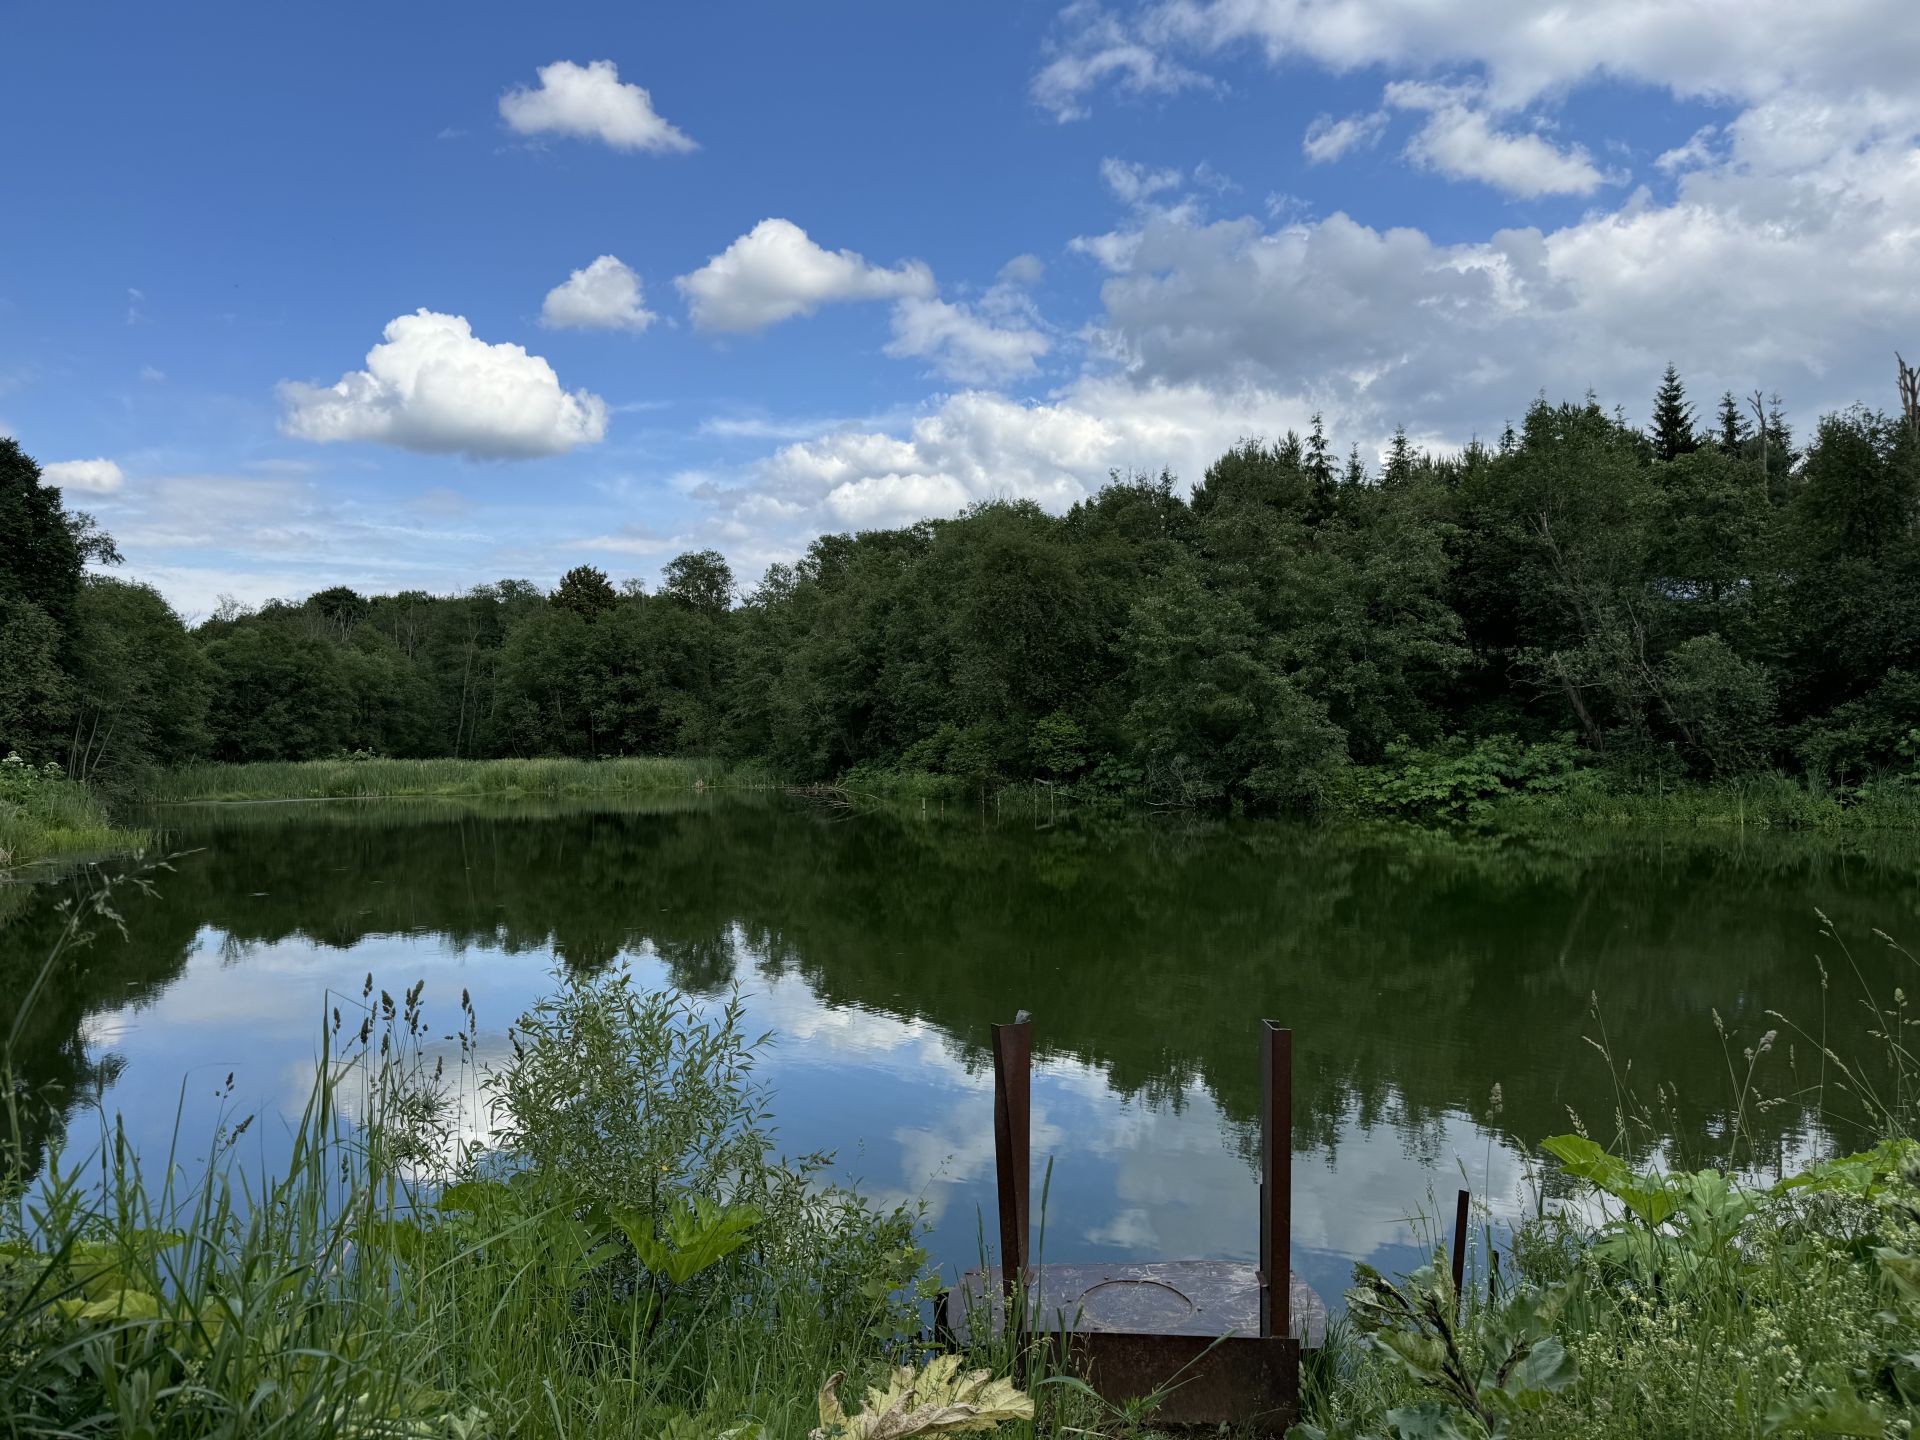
[1218,1341]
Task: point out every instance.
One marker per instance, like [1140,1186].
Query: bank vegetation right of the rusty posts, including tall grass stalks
[1660,1301]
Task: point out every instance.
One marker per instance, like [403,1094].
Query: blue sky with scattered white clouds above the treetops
[871,262]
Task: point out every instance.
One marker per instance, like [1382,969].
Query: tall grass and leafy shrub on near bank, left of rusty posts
[619,1255]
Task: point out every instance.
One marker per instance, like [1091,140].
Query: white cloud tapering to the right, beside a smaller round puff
[777,272]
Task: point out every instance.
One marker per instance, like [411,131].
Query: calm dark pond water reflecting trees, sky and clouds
[1418,974]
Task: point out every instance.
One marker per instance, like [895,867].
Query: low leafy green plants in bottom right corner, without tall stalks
[1704,1308]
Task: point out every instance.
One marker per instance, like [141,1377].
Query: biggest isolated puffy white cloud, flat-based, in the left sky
[435,387]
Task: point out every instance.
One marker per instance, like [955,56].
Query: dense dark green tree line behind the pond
[1689,600]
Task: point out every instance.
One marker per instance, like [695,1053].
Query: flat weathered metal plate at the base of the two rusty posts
[1201,1299]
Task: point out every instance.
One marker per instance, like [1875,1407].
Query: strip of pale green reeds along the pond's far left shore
[329,780]
